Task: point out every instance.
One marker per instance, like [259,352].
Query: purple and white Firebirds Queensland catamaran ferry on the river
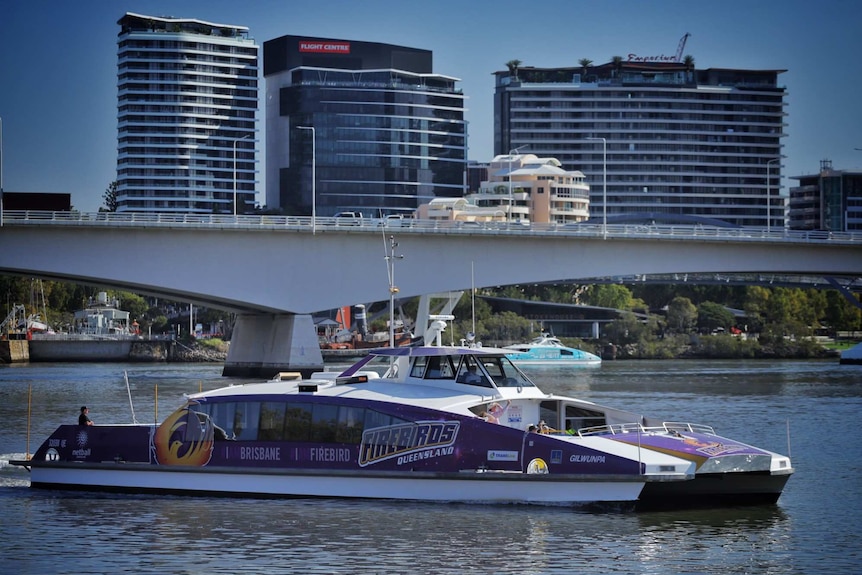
[430,423]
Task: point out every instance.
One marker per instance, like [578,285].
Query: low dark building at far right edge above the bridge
[830,200]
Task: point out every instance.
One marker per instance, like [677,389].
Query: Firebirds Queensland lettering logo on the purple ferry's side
[408,442]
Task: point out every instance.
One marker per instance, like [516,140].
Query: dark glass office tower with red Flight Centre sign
[359,126]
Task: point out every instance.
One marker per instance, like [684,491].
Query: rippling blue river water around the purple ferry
[815,407]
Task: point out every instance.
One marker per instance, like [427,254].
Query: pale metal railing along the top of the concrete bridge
[409,225]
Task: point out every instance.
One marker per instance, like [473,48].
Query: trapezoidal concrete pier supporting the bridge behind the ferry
[265,344]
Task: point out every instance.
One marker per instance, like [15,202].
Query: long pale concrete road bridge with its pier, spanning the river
[274,271]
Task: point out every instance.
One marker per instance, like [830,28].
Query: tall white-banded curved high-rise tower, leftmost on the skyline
[187,106]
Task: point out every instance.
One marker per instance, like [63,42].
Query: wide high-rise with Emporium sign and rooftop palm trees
[671,139]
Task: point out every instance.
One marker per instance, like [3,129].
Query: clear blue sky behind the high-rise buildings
[58,64]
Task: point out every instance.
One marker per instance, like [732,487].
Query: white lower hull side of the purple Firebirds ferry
[474,487]
